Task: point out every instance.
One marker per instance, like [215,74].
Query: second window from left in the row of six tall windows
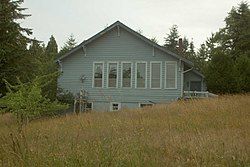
[112,75]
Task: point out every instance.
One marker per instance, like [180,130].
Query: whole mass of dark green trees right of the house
[228,52]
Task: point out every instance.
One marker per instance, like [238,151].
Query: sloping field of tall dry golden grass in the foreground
[211,132]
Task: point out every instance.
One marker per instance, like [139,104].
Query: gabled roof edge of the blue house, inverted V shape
[118,23]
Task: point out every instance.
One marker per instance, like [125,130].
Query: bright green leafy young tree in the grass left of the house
[26,102]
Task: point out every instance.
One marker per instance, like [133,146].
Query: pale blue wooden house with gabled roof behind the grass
[120,68]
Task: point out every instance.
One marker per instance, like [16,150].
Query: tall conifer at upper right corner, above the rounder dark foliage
[235,36]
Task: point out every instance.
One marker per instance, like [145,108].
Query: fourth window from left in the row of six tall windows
[141,74]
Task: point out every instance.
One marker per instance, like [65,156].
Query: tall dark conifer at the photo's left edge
[13,43]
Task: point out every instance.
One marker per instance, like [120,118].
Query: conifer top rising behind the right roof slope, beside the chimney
[171,41]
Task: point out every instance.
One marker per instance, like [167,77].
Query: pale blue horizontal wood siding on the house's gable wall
[111,47]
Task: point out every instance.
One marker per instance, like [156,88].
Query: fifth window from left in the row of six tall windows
[155,77]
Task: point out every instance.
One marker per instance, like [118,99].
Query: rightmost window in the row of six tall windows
[171,75]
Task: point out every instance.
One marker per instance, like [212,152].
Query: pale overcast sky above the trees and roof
[196,19]
